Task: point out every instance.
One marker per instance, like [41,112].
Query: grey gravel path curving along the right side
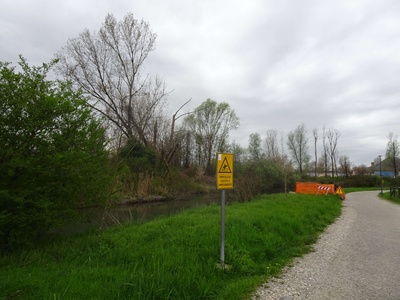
[357,257]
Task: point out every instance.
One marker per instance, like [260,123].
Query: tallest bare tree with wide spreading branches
[107,66]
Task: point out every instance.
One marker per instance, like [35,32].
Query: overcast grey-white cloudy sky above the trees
[278,63]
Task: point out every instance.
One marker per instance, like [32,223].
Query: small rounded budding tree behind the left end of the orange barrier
[297,145]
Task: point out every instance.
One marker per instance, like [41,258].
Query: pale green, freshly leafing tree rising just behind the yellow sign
[209,125]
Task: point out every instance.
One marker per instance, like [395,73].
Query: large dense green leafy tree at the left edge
[52,154]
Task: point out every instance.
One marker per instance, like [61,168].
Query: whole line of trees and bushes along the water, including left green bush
[99,134]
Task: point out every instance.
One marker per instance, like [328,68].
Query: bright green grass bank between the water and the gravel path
[174,257]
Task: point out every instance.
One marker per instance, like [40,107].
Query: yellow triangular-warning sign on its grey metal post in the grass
[224,181]
